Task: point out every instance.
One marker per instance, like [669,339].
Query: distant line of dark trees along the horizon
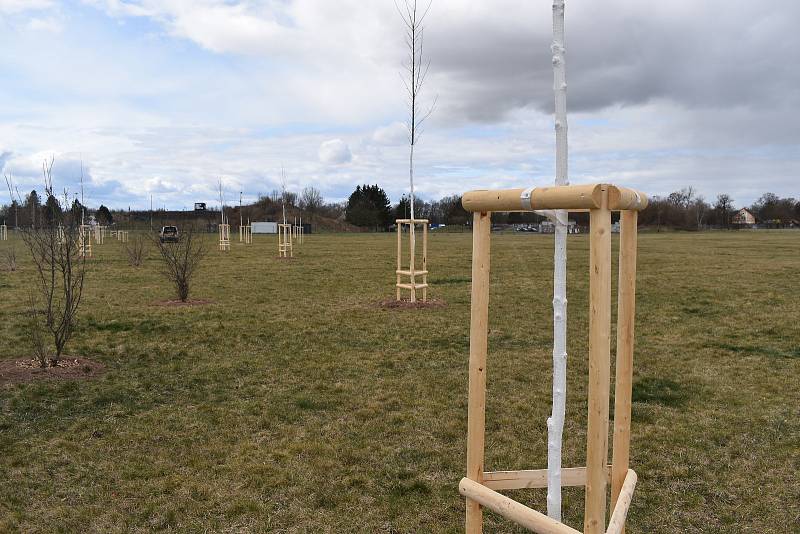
[369,208]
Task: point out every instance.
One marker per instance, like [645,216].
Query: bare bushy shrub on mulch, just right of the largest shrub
[180,260]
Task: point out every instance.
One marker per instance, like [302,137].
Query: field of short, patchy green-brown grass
[293,403]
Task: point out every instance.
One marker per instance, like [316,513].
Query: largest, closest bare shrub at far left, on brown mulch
[60,274]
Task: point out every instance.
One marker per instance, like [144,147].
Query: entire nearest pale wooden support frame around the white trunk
[481,487]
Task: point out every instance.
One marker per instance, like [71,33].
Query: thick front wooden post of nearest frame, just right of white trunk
[599,366]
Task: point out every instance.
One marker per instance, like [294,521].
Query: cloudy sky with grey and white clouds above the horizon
[167,97]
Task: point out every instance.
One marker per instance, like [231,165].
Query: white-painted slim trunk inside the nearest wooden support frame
[555,423]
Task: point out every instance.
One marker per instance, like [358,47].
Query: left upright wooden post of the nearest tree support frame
[478,347]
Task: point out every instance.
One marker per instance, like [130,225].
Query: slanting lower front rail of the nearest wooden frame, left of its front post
[510,509]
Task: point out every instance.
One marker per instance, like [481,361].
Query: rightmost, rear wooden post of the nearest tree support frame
[626,305]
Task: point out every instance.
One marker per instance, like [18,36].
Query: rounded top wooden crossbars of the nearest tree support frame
[567,197]
